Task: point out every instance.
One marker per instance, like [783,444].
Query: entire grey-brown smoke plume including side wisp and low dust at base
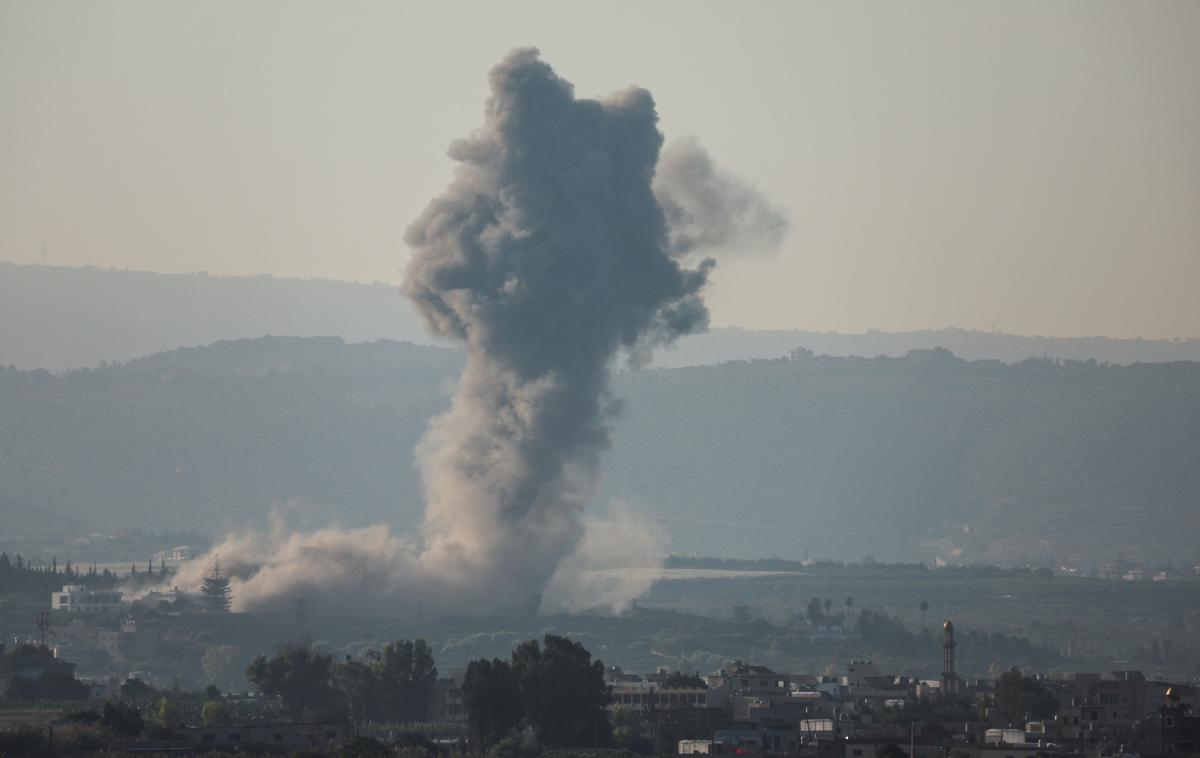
[551,255]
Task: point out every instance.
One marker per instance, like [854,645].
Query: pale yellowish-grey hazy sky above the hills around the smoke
[1031,166]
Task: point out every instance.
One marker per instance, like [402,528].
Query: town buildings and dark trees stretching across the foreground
[131,663]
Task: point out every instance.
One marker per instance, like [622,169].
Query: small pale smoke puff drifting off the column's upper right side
[711,209]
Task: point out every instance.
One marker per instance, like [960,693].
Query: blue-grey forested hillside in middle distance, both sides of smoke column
[925,456]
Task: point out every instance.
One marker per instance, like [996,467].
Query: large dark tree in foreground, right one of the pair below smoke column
[563,691]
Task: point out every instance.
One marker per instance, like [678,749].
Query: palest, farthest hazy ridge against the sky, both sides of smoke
[61,318]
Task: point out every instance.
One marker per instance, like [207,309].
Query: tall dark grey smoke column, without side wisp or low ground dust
[548,257]
